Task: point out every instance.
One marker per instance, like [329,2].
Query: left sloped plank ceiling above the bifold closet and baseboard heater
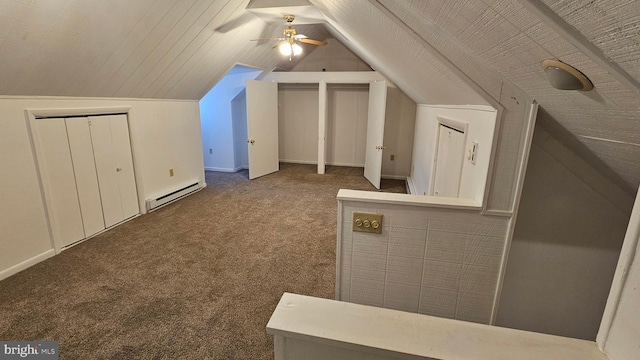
[175,49]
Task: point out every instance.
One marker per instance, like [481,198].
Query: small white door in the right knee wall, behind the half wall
[449,159]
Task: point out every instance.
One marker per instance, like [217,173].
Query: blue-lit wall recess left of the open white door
[217,128]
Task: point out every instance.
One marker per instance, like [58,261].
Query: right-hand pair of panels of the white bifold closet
[112,153]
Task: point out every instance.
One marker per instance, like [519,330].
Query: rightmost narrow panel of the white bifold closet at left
[126,176]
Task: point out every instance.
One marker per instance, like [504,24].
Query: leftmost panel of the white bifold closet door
[59,181]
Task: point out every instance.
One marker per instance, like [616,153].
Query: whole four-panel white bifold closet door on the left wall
[87,173]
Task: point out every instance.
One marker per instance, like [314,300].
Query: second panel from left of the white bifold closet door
[86,176]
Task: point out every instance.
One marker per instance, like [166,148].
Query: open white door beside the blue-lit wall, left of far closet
[262,127]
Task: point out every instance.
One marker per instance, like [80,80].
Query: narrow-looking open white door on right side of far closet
[375,132]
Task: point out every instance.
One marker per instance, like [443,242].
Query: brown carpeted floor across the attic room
[197,279]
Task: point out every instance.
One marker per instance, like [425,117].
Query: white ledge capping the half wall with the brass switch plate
[408,199]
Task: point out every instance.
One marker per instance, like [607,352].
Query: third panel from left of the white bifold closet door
[106,167]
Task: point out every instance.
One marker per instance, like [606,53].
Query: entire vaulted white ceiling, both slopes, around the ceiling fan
[436,51]
